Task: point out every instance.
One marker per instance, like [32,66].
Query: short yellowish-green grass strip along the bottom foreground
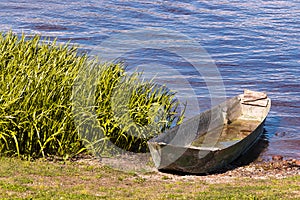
[72,180]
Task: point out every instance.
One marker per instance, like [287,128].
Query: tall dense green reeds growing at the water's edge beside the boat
[50,93]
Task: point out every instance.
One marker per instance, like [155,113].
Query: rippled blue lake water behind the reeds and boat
[254,45]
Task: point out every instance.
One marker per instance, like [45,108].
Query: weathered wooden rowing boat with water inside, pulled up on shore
[213,139]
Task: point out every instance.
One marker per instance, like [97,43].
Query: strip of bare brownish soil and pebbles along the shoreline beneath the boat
[142,165]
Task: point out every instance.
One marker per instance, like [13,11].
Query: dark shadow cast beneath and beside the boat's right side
[252,155]
